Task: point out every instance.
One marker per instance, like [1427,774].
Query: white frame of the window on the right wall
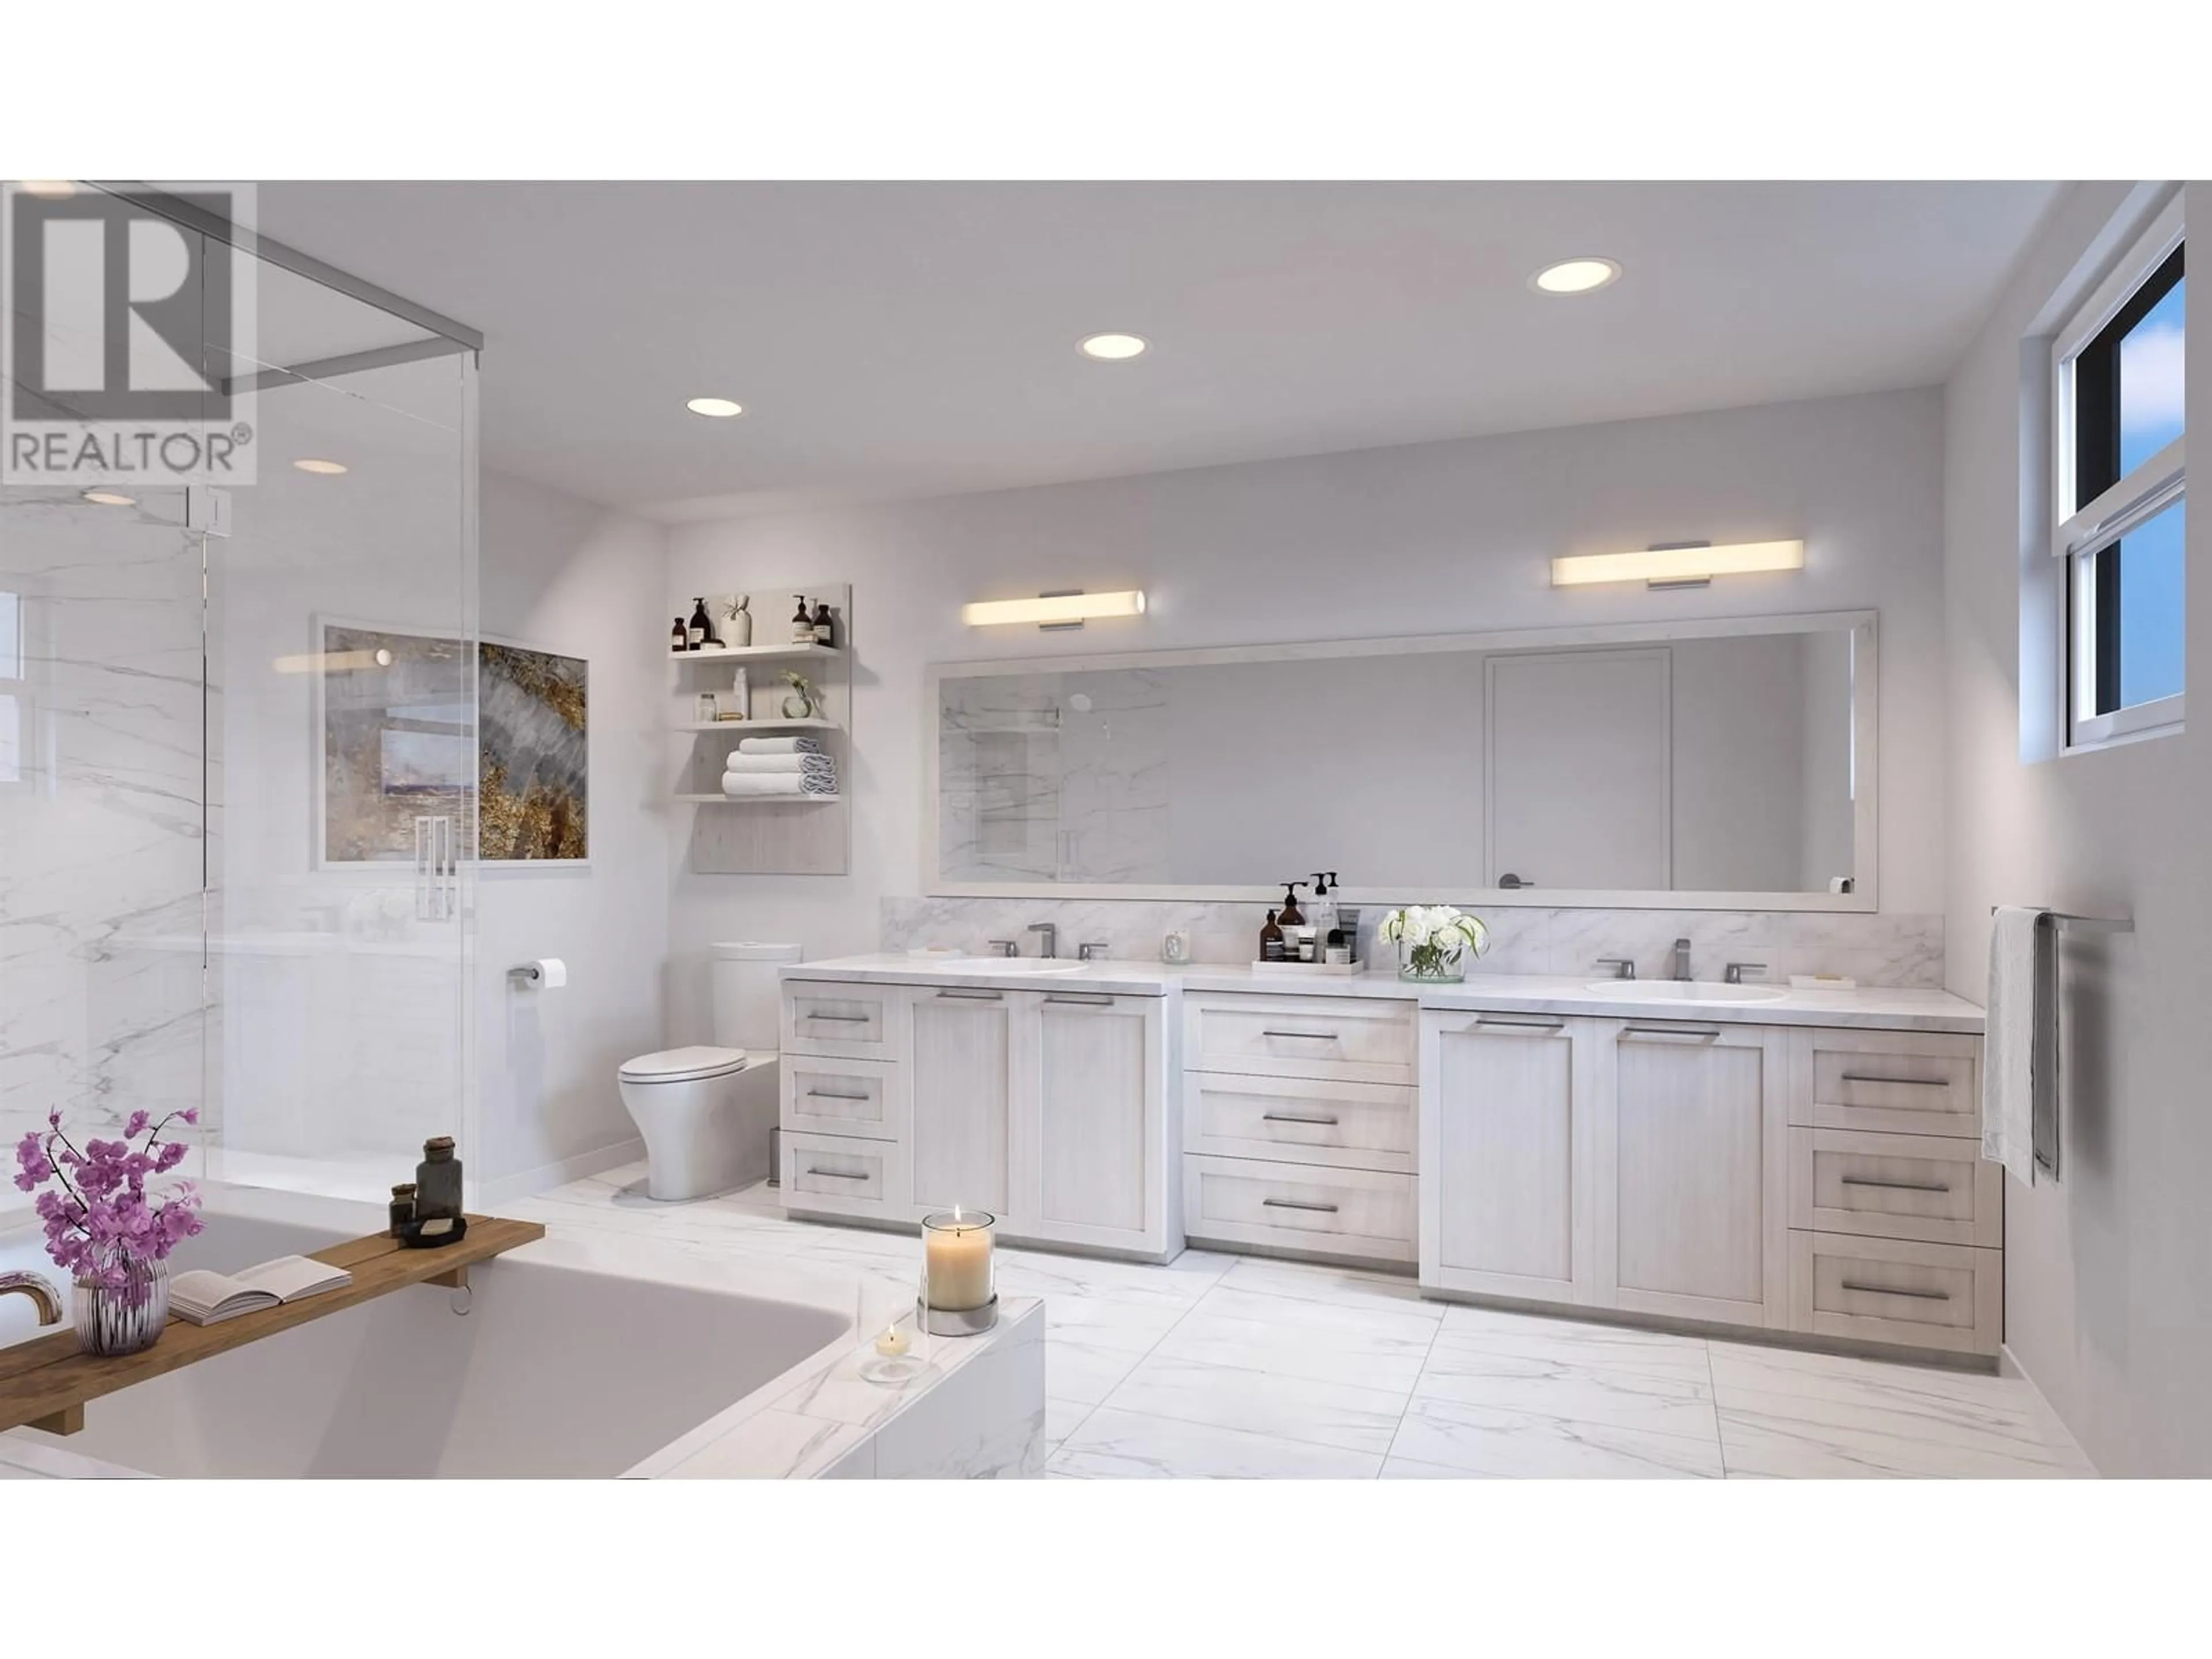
[2091,528]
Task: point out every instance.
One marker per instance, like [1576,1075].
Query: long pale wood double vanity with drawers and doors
[1804,1165]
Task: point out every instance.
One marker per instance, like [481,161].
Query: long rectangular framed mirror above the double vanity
[1669,766]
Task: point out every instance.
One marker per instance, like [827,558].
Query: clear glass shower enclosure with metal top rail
[238,758]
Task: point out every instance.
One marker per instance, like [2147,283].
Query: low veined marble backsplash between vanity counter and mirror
[1872,950]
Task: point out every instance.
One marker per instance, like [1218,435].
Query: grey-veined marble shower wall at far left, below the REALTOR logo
[103,831]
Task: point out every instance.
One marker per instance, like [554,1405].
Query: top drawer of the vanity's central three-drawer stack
[1357,1041]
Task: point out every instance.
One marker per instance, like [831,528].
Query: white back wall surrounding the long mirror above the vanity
[1428,539]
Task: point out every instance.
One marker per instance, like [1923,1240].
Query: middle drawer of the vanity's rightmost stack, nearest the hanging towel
[1895,1187]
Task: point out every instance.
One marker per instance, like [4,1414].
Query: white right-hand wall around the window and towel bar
[2107,1271]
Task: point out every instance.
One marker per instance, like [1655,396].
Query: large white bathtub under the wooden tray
[576,1357]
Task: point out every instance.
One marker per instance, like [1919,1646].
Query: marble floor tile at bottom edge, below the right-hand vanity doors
[1494,1441]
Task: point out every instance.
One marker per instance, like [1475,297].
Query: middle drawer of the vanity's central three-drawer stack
[1364,1127]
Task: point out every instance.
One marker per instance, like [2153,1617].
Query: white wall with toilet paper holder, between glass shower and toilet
[587,583]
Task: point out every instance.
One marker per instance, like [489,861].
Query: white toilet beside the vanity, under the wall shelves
[707,1114]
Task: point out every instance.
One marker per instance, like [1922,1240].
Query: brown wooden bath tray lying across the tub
[48,1381]
